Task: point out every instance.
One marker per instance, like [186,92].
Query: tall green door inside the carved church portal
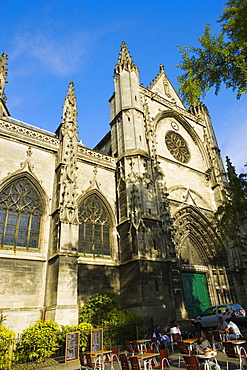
[195,293]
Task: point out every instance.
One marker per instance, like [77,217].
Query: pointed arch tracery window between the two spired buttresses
[94,229]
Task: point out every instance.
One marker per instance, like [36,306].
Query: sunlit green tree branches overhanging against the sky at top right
[220,60]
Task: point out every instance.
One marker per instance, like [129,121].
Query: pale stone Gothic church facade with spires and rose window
[130,217]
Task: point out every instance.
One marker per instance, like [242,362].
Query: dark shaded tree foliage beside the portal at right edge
[232,214]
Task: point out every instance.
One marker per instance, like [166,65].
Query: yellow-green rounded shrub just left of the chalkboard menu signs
[38,342]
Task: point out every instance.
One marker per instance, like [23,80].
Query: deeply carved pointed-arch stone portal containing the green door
[202,261]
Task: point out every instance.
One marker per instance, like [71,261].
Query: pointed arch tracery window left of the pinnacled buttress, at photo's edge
[20,216]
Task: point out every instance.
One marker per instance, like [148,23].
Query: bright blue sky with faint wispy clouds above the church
[50,43]
